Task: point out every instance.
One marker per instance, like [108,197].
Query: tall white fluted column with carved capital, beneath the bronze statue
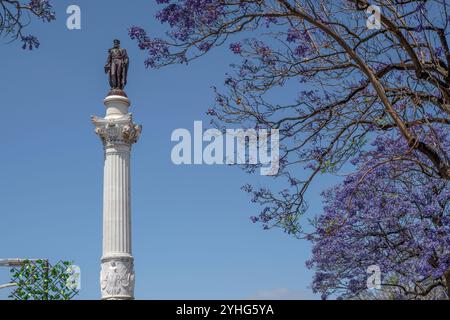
[117,132]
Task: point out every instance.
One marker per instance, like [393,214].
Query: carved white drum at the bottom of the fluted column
[117,278]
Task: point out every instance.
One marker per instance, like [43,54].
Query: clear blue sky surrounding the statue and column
[192,237]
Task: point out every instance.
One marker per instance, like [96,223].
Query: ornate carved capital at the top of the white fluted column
[117,131]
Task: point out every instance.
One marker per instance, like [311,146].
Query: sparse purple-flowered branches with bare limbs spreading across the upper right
[354,83]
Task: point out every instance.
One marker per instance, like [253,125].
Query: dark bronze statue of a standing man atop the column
[117,68]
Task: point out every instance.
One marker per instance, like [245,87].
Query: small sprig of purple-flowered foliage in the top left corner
[16,15]
